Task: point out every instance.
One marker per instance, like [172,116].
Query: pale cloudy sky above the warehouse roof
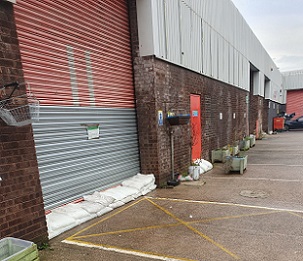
[278,24]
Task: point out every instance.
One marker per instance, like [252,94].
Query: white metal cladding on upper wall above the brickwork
[223,38]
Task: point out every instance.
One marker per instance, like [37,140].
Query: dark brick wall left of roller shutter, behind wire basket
[21,204]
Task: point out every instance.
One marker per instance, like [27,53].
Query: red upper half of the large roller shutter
[76,52]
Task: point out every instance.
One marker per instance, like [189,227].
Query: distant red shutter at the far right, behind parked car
[295,102]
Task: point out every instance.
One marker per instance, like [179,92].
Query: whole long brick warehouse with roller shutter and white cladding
[107,75]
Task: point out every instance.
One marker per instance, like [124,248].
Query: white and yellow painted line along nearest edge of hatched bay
[126,251]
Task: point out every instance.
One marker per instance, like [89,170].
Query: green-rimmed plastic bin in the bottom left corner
[14,249]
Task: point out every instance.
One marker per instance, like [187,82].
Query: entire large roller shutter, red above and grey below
[76,57]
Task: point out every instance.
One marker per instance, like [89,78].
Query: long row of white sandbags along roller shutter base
[68,216]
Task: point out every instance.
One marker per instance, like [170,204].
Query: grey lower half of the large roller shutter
[70,164]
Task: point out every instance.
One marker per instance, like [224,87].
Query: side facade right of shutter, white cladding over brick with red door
[204,49]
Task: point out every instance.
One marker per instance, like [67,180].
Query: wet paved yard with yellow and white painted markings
[221,217]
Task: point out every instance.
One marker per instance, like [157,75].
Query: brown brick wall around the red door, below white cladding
[163,86]
